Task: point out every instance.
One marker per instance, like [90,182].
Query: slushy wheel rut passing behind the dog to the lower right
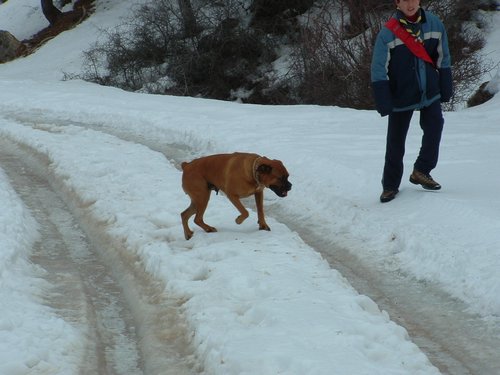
[456,341]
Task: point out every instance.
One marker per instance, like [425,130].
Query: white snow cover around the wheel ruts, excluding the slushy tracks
[256,302]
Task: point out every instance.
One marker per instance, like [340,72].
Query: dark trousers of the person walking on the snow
[431,122]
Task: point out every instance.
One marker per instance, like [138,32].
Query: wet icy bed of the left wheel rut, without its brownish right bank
[82,289]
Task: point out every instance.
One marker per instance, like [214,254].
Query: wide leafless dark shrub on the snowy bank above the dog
[154,51]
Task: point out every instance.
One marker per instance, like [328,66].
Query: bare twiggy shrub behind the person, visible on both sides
[332,61]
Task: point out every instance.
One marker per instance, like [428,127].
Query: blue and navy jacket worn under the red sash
[400,80]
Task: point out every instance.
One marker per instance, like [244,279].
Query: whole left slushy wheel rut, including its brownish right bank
[130,327]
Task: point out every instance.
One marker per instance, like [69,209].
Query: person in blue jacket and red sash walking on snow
[411,70]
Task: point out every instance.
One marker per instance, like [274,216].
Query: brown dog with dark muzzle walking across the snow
[238,175]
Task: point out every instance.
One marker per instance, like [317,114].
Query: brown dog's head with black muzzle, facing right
[273,174]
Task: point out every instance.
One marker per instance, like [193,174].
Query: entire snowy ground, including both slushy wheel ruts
[240,301]
